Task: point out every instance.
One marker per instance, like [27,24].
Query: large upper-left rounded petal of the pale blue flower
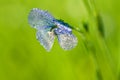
[39,18]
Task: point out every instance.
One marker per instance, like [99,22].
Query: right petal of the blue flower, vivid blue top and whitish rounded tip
[65,37]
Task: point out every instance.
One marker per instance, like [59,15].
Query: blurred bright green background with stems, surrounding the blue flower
[96,57]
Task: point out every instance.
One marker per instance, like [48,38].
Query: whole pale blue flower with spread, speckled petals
[48,27]
